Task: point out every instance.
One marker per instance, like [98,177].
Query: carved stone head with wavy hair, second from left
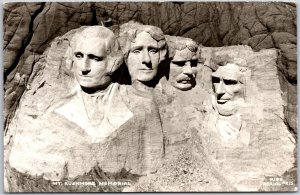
[144,48]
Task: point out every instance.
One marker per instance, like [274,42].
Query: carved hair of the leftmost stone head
[114,54]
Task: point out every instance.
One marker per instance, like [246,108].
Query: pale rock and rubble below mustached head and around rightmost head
[263,151]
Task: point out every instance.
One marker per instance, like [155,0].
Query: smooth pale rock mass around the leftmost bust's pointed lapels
[60,149]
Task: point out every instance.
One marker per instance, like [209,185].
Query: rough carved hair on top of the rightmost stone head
[222,58]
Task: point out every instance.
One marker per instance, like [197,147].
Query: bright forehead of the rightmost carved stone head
[229,71]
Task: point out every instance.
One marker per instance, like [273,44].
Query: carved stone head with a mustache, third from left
[183,62]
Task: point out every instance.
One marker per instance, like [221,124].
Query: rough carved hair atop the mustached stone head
[180,43]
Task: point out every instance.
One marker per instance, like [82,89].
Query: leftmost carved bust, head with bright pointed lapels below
[96,56]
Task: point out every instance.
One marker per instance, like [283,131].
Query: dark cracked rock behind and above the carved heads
[30,27]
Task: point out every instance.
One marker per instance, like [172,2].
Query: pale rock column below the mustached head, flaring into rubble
[186,167]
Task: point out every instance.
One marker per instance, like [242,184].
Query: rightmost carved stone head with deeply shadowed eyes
[228,82]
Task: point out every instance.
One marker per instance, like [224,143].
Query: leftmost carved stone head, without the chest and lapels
[95,56]
